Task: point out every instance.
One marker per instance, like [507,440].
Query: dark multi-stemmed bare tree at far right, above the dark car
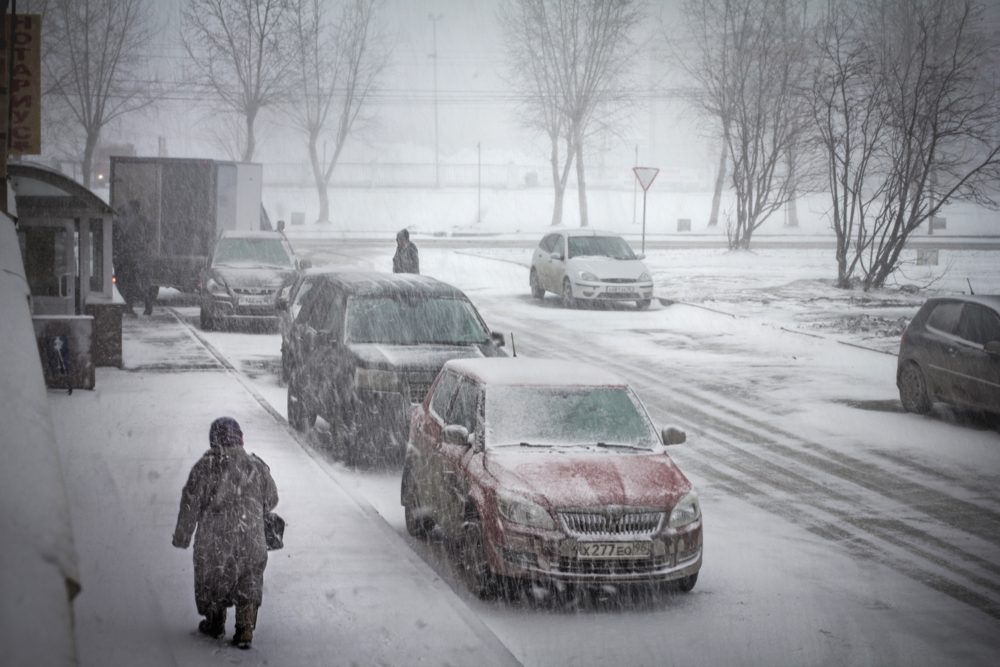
[906,110]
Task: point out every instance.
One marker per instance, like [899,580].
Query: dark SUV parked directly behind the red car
[366,347]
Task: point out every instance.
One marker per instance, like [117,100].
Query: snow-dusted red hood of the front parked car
[557,478]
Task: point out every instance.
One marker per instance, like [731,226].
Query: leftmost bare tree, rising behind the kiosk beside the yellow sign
[95,67]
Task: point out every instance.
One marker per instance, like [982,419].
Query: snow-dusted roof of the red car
[534,372]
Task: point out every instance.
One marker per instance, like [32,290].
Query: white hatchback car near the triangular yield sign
[583,264]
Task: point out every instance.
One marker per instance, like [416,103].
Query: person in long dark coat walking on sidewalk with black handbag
[227,494]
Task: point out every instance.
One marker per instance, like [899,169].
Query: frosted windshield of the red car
[566,416]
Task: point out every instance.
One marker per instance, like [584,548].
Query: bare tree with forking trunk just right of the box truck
[339,58]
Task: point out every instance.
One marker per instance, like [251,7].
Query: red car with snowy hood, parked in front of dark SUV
[549,471]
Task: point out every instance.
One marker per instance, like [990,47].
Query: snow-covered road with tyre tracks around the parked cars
[838,529]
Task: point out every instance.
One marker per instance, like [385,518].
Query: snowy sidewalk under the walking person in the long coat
[345,589]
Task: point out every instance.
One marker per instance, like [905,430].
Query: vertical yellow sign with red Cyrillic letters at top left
[25,91]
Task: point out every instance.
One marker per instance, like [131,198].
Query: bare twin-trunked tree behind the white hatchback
[571,61]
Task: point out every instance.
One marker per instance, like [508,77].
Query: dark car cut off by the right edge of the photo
[950,352]
